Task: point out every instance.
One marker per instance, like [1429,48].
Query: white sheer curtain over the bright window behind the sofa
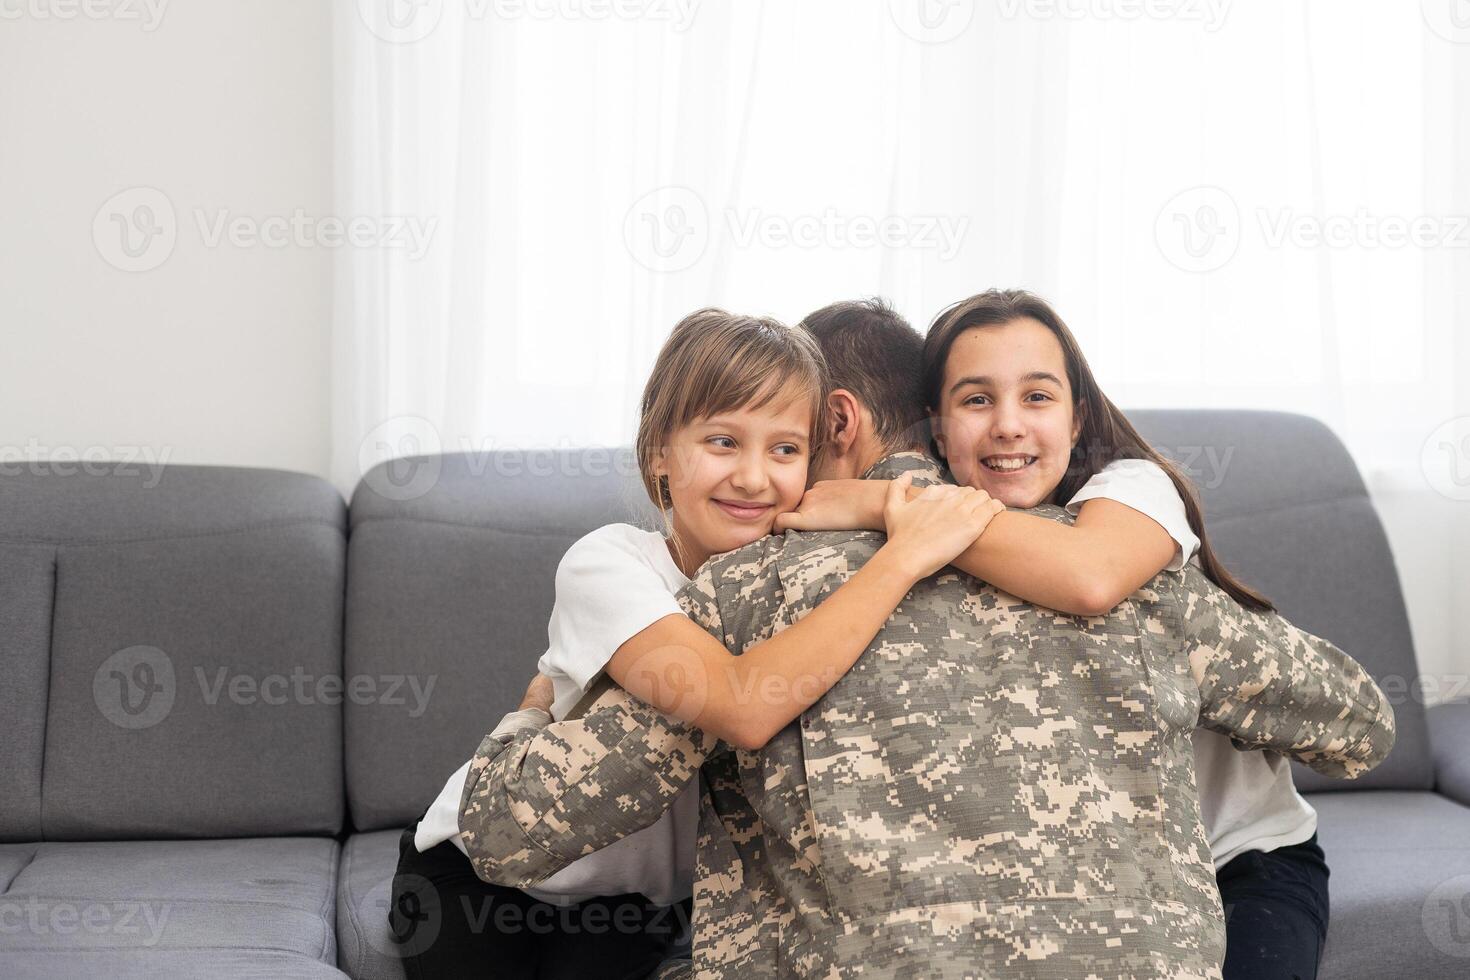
[1224,202]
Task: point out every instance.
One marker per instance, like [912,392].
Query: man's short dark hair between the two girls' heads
[878,356]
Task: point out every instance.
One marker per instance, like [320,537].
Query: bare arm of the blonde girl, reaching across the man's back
[746,700]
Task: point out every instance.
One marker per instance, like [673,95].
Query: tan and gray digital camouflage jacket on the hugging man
[994,790]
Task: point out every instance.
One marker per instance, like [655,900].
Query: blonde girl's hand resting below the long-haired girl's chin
[934,528]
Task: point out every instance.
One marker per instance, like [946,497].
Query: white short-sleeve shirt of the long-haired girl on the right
[1247,800]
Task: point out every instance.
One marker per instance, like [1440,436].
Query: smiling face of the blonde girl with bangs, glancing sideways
[730,475]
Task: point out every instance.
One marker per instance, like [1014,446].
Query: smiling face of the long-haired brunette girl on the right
[1006,421]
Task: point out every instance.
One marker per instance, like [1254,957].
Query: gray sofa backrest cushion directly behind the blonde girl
[452,574]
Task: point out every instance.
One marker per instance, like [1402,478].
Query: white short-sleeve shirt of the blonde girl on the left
[611,586]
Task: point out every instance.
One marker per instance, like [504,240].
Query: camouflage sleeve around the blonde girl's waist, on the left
[546,797]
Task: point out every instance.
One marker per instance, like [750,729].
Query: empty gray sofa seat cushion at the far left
[117,901]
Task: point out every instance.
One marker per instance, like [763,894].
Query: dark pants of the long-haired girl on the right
[1275,913]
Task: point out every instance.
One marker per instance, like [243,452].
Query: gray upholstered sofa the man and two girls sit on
[226,693]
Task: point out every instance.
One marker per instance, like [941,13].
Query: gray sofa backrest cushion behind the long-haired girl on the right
[1288,514]
